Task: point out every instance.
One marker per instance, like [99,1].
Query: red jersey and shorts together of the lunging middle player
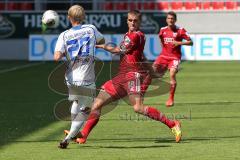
[132,76]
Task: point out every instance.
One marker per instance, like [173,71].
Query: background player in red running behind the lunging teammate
[171,38]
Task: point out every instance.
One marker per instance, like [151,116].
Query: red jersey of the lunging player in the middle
[132,55]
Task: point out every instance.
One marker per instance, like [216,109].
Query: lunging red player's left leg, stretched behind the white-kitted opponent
[102,99]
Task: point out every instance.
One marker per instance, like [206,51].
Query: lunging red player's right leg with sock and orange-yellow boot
[136,101]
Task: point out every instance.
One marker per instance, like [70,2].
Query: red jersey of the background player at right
[167,37]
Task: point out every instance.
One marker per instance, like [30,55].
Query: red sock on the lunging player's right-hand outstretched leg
[153,113]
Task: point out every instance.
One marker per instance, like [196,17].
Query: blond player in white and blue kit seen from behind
[77,45]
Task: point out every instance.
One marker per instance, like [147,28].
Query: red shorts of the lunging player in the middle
[125,84]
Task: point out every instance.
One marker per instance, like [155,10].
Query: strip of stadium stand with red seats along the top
[123,5]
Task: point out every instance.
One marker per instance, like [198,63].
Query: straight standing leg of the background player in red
[173,85]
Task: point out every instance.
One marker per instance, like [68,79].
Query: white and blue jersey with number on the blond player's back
[78,45]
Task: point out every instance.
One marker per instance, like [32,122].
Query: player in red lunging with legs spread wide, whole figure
[132,80]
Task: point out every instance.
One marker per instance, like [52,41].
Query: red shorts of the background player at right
[163,63]
